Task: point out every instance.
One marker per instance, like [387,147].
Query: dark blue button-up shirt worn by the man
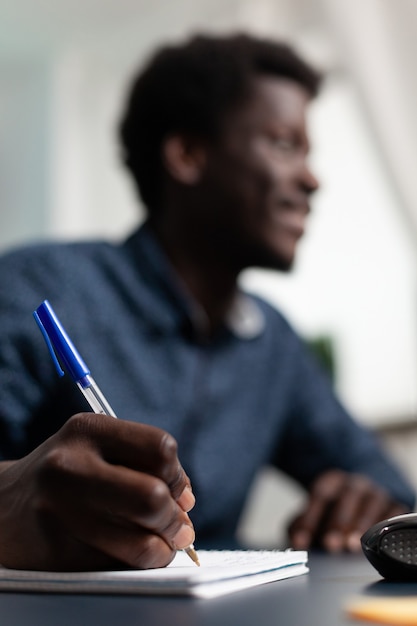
[251,395]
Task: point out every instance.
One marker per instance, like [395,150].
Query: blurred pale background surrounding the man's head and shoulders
[64,70]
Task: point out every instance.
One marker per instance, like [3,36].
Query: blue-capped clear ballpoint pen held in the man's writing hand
[60,345]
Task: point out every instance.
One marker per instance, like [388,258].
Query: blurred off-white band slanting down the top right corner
[378,44]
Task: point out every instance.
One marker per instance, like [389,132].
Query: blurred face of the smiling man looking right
[256,184]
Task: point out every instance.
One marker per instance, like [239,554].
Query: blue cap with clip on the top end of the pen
[58,341]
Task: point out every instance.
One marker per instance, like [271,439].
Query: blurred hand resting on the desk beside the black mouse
[340,509]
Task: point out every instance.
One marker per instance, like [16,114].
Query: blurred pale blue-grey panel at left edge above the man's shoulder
[24,144]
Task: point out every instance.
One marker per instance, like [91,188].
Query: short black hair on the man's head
[189,88]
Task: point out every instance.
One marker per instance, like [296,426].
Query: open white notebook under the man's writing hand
[221,572]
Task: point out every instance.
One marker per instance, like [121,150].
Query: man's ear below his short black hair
[184,158]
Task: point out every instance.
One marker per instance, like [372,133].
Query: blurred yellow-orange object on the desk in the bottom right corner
[395,611]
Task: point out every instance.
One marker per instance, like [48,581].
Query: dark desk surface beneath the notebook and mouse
[315,599]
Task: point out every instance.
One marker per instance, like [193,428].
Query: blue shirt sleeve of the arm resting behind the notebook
[320,435]
